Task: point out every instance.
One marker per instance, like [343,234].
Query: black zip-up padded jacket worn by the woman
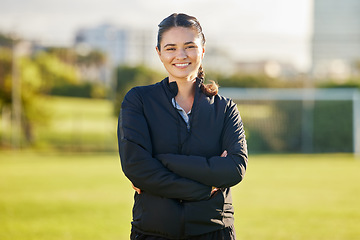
[175,167]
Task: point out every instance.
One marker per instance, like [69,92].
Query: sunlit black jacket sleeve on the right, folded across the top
[216,171]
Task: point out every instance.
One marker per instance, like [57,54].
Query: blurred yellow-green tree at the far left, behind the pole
[38,74]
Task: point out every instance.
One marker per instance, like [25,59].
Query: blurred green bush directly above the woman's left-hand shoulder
[128,77]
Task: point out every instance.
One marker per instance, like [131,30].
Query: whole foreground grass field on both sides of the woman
[85,196]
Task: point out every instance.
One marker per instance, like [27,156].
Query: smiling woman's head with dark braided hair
[183,44]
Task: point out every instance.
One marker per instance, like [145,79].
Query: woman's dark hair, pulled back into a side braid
[183,20]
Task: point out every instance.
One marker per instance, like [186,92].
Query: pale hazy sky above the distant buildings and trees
[252,30]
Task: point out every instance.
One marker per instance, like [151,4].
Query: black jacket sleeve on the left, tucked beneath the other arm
[144,171]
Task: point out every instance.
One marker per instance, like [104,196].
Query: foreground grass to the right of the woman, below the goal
[299,197]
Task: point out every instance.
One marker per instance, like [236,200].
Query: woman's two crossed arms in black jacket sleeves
[178,176]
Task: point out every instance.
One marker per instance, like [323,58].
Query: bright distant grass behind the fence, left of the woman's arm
[72,124]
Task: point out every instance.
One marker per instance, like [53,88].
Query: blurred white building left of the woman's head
[122,46]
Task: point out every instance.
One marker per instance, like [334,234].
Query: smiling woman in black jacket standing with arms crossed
[181,144]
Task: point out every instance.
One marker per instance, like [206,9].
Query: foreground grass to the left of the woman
[63,197]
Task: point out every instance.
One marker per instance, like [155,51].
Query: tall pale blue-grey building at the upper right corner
[336,38]
